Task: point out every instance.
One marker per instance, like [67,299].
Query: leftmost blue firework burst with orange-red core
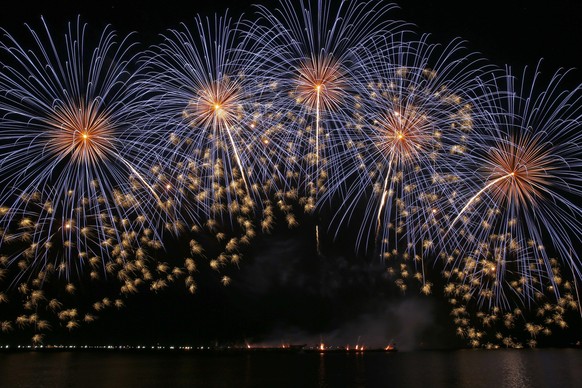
[70,164]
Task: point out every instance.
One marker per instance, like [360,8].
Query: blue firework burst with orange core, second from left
[204,113]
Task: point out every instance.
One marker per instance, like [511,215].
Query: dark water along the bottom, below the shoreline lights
[498,369]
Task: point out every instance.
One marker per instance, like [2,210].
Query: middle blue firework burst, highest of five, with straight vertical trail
[307,50]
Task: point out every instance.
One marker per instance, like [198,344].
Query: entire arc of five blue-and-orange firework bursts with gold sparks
[125,168]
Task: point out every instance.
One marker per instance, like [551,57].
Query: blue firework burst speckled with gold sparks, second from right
[409,126]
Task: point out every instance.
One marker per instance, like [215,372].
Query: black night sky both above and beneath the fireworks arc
[284,291]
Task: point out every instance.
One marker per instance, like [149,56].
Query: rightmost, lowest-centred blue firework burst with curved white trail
[521,207]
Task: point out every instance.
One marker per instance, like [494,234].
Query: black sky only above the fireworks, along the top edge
[514,31]
